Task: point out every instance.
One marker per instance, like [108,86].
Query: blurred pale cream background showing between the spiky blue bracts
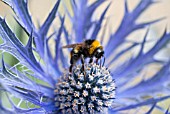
[39,9]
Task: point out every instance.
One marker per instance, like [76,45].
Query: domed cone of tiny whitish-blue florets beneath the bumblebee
[87,92]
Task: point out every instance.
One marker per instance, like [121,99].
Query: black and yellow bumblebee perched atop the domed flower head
[87,49]
